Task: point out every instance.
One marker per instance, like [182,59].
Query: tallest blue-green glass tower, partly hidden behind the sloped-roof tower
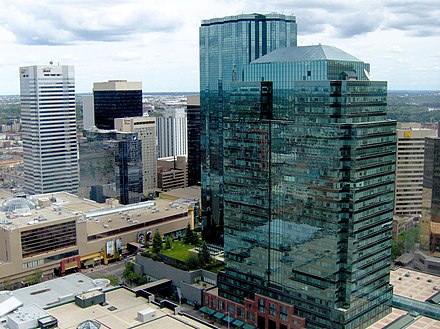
[226,46]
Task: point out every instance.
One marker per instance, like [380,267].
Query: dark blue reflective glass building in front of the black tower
[111,166]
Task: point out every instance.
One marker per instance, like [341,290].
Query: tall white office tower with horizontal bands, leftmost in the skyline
[47,95]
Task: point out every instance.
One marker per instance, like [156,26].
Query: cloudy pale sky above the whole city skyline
[156,42]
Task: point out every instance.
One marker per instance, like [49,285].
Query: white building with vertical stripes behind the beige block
[172,133]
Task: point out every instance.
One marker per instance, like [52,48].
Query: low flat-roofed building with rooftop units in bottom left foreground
[76,301]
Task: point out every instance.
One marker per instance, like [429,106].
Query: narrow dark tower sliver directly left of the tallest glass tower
[193,125]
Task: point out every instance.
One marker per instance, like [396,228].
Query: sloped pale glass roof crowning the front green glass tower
[306,53]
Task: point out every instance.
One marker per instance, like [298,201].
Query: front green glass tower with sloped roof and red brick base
[309,168]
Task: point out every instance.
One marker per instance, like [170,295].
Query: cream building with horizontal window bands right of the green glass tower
[409,167]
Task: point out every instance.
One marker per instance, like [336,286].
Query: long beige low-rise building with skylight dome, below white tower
[55,234]
